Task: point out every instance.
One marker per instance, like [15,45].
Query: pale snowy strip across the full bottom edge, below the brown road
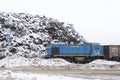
[9,75]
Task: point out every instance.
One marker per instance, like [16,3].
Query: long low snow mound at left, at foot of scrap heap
[17,61]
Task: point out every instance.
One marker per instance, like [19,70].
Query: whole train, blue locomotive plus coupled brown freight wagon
[84,52]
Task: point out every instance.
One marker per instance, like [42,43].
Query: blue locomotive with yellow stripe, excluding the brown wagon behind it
[76,53]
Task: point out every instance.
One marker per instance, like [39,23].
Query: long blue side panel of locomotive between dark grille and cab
[75,50]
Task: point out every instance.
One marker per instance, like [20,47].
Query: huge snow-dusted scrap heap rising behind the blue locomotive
[30,34]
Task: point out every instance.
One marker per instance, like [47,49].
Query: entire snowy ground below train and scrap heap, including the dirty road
[9,71]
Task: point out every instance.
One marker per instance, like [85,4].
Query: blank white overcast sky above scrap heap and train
[95,20]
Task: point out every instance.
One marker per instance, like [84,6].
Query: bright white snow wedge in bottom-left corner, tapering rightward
[9,75]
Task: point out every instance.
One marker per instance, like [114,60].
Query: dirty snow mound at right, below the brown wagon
[101,64]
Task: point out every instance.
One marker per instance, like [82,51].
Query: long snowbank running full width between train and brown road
[19,61]
